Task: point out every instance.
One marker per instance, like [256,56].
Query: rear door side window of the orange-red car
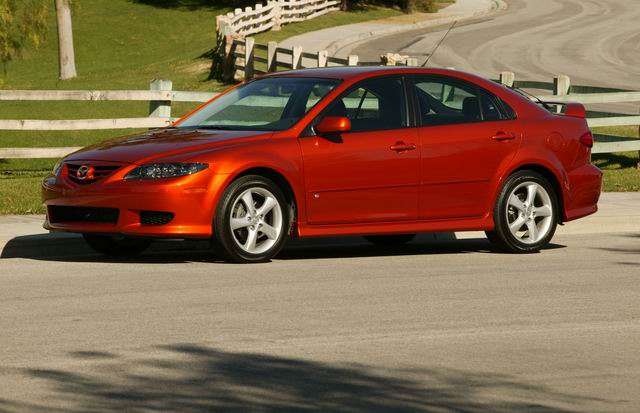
[444,101]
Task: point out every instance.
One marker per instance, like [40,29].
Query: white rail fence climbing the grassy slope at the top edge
[271,16]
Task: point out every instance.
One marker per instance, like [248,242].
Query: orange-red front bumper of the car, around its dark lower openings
[190,199]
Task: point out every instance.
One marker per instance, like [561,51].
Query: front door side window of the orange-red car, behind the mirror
[376,104]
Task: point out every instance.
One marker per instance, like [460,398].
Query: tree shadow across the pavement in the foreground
[189,378]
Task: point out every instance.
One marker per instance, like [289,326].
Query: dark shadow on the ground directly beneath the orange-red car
[72,248]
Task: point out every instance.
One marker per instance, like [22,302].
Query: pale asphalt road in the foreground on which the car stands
[331,326]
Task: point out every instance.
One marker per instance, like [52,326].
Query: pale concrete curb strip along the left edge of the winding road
[498,5]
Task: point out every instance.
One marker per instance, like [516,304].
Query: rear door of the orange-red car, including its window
[466,134]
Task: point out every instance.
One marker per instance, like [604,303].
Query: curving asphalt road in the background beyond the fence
[595,42]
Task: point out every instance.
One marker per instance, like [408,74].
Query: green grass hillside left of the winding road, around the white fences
[120,44]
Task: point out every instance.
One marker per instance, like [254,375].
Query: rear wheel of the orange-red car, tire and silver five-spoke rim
[519,226]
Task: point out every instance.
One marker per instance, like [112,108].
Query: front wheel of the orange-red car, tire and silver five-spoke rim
[245,235]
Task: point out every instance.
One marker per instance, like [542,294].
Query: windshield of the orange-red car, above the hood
[269,104]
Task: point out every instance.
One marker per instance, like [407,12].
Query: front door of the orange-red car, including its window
[371,173]
